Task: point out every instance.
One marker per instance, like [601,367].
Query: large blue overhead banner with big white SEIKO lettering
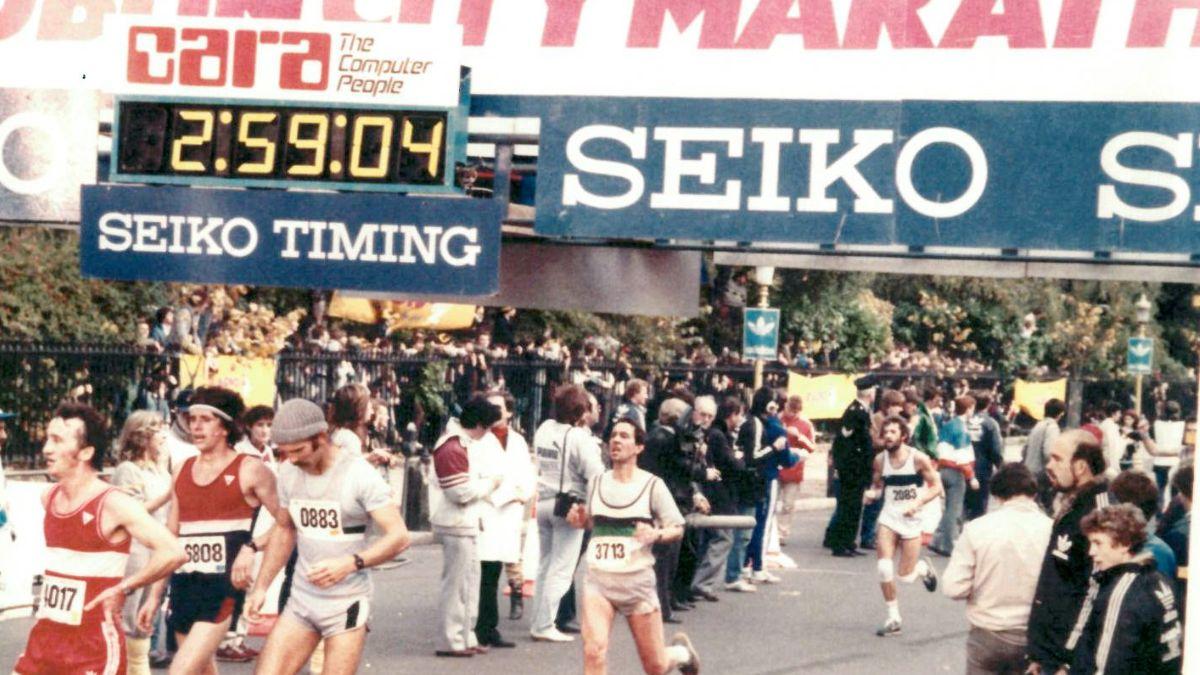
[1031,177]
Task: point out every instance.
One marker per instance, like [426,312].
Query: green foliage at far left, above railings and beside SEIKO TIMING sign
[44,297]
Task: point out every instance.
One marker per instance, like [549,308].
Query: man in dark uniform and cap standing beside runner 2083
[853,456]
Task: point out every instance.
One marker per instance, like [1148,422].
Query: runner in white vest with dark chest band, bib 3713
[628,511]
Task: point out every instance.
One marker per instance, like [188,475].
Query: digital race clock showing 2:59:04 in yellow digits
[286,146]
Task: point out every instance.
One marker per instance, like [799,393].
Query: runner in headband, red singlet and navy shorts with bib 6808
[215,499]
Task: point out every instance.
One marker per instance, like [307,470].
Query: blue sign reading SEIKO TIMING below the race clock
[286,238]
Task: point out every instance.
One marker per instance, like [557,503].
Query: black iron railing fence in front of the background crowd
[422,391]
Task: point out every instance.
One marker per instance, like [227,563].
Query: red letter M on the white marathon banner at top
[717,32]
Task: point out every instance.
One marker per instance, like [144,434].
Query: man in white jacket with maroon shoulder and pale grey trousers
[461,489]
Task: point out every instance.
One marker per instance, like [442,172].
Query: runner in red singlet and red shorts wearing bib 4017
[89,527]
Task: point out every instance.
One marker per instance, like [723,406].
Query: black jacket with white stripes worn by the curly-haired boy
[1130,624]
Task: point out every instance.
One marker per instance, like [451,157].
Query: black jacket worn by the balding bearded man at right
[1063,584]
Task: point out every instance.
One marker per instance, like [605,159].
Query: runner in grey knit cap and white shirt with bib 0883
[327,498]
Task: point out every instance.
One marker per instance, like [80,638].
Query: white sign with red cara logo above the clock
[327,62]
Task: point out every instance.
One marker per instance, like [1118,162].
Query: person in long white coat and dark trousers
[501,453]
